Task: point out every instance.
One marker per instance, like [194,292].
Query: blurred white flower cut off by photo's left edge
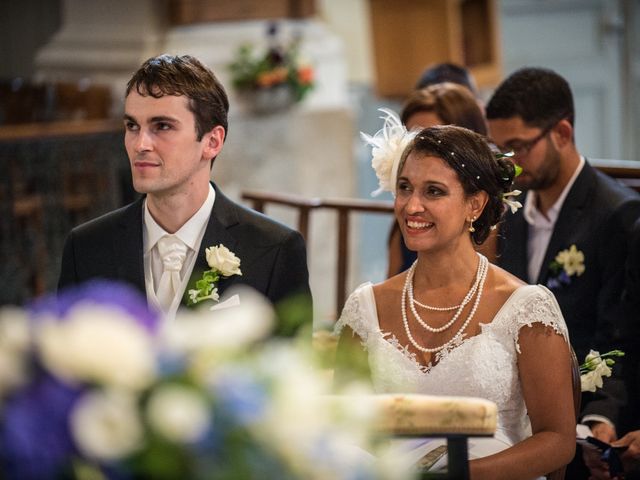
[14,342]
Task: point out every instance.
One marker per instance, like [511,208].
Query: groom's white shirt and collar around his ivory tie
[190,234]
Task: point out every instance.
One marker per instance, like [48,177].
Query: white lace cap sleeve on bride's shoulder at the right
[538,305]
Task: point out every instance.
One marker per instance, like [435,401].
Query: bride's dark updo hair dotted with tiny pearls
[476,165]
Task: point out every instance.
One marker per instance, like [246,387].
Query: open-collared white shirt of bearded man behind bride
[541,226]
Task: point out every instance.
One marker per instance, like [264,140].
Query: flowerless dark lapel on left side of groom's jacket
[129,255]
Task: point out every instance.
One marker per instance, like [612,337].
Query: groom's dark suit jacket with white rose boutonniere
[273,257]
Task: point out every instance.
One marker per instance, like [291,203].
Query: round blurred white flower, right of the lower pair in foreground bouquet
[178,413]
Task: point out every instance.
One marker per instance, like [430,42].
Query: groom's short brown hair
[184,75]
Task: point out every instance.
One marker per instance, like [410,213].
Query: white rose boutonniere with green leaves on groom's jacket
[223,263]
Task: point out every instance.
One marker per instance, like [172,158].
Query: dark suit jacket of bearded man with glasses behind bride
[597,216]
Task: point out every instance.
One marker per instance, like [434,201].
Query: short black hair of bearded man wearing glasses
[538,95]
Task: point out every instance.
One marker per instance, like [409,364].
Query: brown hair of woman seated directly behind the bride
[452,102]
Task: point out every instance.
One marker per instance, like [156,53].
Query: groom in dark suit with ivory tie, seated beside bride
[176,123]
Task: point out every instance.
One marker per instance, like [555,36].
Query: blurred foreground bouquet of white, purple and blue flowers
[93,386]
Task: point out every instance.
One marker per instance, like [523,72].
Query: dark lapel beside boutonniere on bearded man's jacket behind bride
[571,214]
